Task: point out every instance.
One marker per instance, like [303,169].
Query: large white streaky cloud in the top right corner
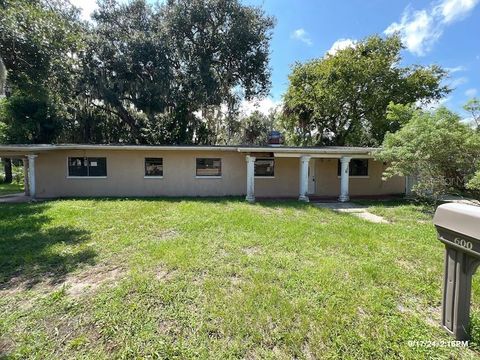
[421,29]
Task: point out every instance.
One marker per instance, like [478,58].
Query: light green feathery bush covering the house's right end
[435,147]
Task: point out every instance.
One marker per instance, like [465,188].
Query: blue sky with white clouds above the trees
[442,32]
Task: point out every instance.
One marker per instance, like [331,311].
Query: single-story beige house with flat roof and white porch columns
[72,170]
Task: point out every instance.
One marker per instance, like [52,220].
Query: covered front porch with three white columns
[314,174]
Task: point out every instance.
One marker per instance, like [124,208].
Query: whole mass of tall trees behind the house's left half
[137,73]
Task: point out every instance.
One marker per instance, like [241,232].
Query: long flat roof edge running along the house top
[38,148]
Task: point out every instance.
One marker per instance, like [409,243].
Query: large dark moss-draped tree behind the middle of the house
[154,70]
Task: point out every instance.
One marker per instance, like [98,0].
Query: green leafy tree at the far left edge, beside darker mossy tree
[38,46]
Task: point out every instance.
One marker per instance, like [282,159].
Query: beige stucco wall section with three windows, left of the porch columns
[125,175]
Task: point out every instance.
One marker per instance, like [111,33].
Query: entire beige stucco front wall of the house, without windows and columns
[125,176]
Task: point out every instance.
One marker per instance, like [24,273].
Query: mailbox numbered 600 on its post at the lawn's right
[458,227]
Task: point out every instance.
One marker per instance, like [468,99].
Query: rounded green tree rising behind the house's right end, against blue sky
[342,99]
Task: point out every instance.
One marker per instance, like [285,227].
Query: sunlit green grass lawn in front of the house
[219,279]
